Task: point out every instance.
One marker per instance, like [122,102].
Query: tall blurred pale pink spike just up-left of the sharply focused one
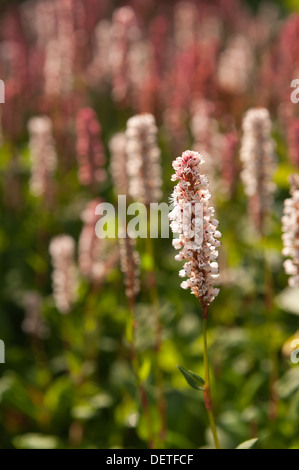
[143,159]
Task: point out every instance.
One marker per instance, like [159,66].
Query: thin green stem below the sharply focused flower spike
[207,391]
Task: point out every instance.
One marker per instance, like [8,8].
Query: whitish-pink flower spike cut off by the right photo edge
[290,228]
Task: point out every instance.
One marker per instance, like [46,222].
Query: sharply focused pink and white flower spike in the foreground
[198,249]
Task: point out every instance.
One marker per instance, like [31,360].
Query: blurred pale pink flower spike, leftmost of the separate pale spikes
[43,156]
